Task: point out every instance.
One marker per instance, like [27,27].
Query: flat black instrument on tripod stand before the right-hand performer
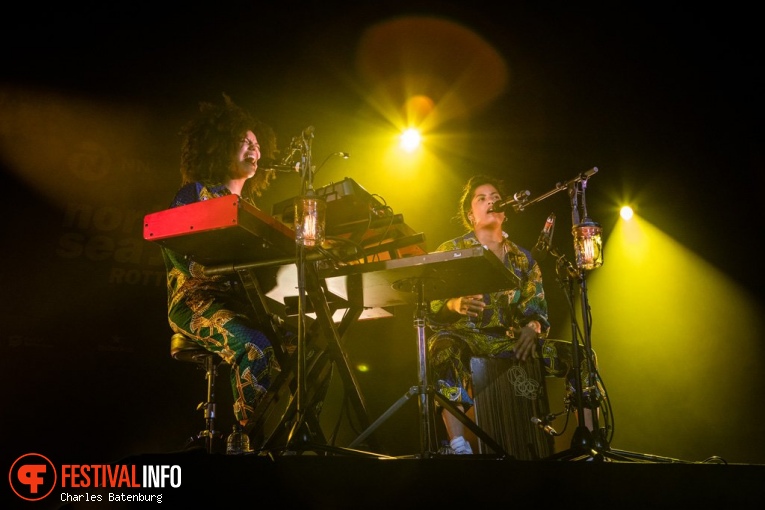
[422,279]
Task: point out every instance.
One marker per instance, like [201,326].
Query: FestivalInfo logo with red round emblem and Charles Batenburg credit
[33,477]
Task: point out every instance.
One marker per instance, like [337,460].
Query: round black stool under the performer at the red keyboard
[184,349]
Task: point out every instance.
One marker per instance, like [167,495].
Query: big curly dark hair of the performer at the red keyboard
[209,140]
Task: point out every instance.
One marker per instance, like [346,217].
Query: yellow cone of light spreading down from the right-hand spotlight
[660,312]
